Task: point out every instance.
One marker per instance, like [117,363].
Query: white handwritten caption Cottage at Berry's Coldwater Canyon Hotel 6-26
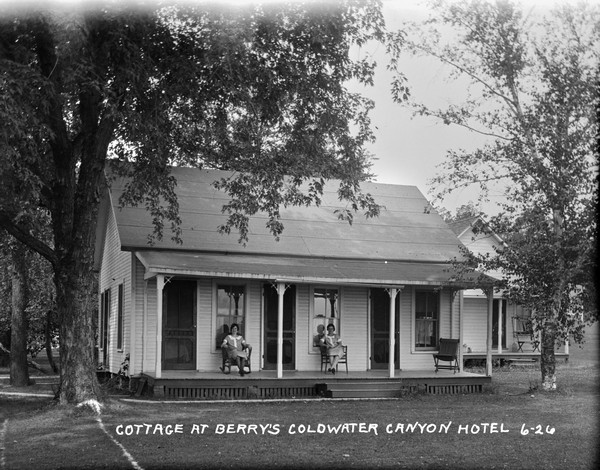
[376,429]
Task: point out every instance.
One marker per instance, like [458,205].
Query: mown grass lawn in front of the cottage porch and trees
[532,430]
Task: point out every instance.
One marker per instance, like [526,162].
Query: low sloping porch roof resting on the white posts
[301,269]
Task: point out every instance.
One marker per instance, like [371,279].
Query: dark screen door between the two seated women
[289,334]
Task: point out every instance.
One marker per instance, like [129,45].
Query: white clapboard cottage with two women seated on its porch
[383,282]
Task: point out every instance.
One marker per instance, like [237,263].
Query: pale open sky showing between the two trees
[408,149]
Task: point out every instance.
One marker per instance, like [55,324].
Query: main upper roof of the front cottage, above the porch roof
[404,231]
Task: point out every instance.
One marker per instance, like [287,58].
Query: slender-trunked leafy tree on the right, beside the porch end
[531,90]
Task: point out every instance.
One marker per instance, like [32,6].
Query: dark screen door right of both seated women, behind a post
[380,330]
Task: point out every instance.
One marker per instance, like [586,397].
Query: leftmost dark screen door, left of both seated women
[179,325]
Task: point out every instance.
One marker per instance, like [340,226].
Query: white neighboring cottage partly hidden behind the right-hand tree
[512,334]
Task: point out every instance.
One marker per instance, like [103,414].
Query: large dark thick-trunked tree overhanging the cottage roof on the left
[259,90]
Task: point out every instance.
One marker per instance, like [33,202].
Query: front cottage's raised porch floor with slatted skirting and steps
[264,384]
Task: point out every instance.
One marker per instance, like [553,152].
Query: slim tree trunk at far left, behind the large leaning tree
[19,371]
